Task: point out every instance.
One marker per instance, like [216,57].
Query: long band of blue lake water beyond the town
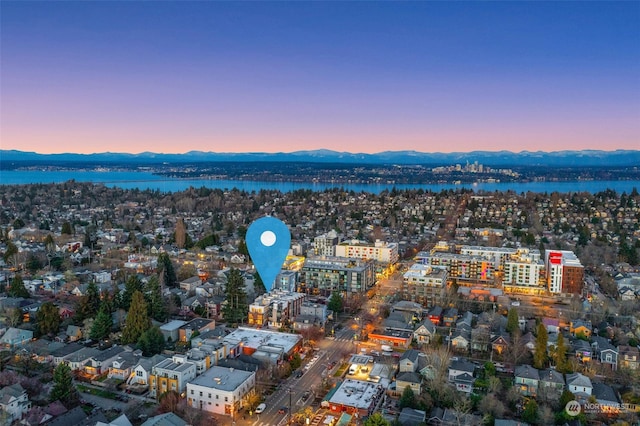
[146,180]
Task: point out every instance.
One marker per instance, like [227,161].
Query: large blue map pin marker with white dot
[268,240]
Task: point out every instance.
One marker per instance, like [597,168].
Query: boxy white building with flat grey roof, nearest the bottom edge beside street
[221,390]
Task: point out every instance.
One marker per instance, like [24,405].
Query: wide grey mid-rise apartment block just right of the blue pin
[325,275]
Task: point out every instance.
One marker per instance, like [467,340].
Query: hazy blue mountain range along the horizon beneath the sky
[583,158]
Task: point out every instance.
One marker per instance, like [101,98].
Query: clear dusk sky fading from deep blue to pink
[174,77]
